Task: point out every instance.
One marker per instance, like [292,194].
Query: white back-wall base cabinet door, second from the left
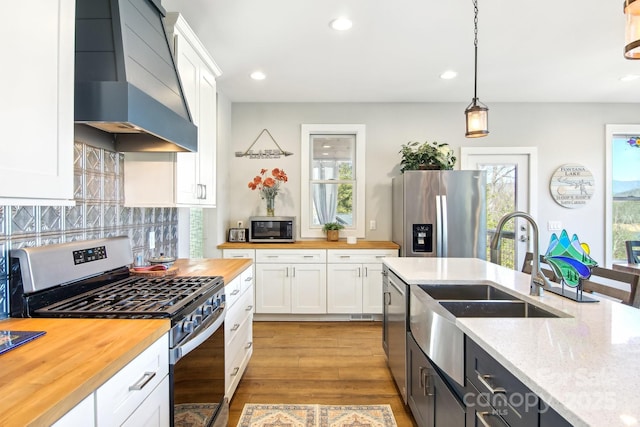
[308,288]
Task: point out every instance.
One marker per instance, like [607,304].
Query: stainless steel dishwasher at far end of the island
[394,332]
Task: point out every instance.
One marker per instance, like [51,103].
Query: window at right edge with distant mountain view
[622,190]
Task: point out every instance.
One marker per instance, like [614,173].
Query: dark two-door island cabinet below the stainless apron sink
[431,400]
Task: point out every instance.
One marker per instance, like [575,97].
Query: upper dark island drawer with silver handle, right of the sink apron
[506,394]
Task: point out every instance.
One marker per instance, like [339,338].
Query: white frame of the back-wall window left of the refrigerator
[359,130]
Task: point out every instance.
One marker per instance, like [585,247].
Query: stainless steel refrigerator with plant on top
[440,214]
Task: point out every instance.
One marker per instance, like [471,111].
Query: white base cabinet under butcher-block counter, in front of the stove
[137,395]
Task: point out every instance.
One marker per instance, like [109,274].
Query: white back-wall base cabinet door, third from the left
[344,288]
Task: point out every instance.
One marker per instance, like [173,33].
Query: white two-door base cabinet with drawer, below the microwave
[291,281]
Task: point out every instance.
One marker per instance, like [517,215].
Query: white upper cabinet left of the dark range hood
[36,164]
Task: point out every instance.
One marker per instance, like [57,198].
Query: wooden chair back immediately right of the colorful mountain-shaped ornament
[614,284]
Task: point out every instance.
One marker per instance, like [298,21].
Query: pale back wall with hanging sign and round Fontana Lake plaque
[563,133]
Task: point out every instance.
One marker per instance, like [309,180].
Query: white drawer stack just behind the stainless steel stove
[238,329]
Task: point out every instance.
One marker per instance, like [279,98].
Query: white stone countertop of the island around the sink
[587,366]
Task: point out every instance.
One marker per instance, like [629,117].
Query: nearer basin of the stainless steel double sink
[494,309]
